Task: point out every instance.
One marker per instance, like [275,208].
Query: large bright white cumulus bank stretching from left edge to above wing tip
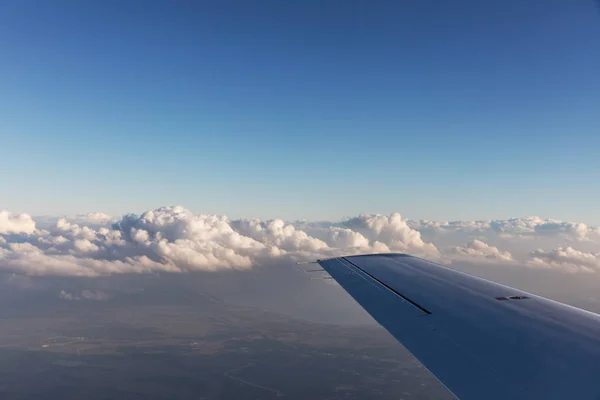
[173,239]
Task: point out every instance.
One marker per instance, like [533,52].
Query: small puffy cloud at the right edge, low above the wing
[566,259]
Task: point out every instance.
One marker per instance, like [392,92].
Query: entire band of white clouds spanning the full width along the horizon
[173,239]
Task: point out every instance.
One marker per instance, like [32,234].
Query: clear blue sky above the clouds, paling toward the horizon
[315,109]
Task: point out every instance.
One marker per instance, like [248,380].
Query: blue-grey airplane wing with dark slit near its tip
[482,340]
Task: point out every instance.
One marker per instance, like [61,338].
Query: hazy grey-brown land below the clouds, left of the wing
[164,338]
